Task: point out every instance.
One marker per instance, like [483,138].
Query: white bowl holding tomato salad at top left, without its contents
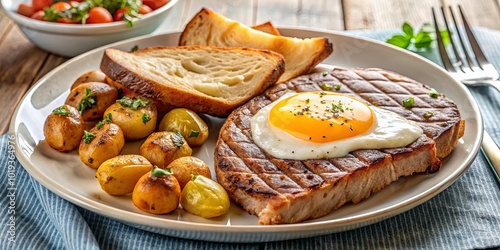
[73,39]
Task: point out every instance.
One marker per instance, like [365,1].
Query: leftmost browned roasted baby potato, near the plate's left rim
[63,129]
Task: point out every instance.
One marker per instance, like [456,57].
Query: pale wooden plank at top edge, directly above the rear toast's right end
[324,14]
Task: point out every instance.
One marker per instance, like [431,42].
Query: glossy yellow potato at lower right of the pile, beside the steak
[204,197]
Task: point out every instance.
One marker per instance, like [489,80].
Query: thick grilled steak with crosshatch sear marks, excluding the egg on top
[288,191]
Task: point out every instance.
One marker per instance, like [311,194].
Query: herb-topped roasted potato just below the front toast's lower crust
[135,116]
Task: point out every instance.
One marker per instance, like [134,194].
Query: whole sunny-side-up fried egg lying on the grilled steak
[315,125]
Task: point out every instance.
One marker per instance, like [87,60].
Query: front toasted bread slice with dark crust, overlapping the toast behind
[211,80]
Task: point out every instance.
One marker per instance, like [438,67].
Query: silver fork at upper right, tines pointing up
[471,70]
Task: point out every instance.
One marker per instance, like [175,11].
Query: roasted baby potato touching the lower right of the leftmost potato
[102,142]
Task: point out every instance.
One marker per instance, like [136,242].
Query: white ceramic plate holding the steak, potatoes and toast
[65,175]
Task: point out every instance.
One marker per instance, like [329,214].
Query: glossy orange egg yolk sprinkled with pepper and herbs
[321,116]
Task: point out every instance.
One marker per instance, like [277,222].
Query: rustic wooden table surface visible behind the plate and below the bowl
[22,64]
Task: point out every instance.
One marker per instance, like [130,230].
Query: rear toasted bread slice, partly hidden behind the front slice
[212,29]
